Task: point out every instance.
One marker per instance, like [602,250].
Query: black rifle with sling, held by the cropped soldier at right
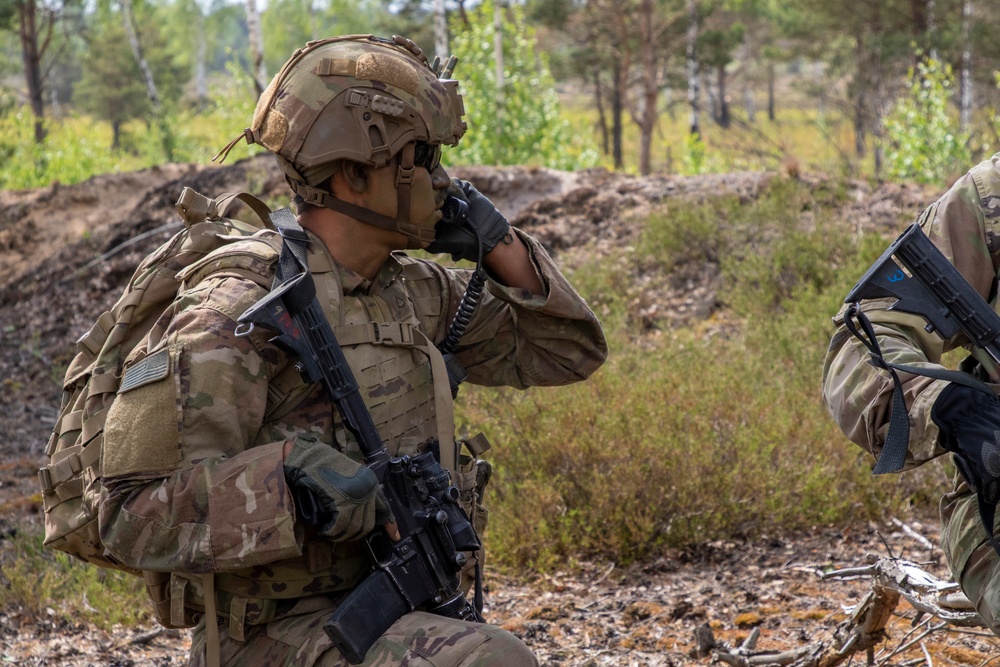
[931,287]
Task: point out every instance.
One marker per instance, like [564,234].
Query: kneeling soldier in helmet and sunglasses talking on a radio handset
[208,457]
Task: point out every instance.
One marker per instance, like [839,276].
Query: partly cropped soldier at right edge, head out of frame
[944,417]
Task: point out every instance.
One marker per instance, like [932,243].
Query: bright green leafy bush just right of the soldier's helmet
[523,126]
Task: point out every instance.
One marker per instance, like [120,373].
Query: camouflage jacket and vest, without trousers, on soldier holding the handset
[193,454]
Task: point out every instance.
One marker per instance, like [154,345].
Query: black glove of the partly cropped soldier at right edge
[969,420]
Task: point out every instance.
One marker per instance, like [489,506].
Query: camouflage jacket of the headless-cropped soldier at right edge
[965,224]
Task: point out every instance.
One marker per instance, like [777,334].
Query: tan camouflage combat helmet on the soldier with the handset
[387,93]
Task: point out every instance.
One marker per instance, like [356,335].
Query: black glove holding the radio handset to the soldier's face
[483,226]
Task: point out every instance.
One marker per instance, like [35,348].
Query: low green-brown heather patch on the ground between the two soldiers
[710,432]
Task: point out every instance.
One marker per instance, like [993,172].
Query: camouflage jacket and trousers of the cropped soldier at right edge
[965,224]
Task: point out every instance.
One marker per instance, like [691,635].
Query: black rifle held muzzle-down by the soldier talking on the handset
[421,569]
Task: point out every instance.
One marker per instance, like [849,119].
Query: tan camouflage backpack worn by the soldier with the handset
[70,480]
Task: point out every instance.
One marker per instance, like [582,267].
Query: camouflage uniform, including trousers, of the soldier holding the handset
[193,447]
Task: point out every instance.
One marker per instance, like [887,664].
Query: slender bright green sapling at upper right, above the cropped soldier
[925,143]
